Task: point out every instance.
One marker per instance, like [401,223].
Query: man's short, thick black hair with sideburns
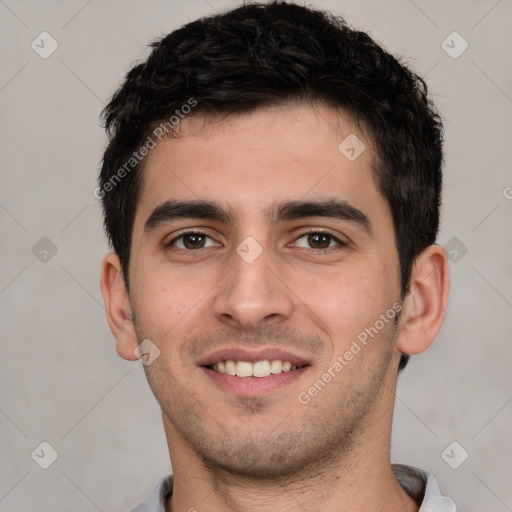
[268,54]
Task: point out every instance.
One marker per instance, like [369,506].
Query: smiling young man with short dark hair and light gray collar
[271,190]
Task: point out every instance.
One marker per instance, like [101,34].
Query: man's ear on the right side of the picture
[425,304]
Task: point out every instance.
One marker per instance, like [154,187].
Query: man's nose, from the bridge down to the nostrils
[253,294]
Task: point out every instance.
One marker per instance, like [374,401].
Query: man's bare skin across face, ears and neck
[271,450]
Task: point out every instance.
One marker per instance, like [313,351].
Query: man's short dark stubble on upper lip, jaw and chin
[278,446]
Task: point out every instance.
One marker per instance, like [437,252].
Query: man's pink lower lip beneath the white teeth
[253,386]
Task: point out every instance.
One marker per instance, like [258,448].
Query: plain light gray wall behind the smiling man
[60,378]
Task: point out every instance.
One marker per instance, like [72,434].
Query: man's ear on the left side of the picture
[118,307]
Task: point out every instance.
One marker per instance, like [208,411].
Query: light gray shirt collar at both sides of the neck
[419,485]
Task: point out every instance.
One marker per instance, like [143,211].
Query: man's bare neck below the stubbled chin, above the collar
[341,488]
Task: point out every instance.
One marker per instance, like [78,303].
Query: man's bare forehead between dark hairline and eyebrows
[250,161]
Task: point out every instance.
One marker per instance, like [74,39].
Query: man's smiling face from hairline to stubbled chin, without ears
[260,249]
